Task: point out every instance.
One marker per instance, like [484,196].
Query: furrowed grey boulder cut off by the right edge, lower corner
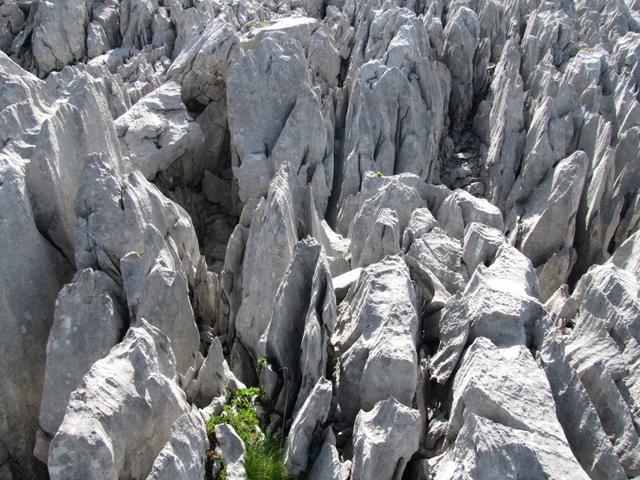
[604,349]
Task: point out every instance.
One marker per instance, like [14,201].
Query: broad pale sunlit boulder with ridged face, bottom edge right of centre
[513,407]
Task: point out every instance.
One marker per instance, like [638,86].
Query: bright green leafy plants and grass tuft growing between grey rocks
[264,457]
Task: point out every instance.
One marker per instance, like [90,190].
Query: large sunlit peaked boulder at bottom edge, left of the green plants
[121,415]
